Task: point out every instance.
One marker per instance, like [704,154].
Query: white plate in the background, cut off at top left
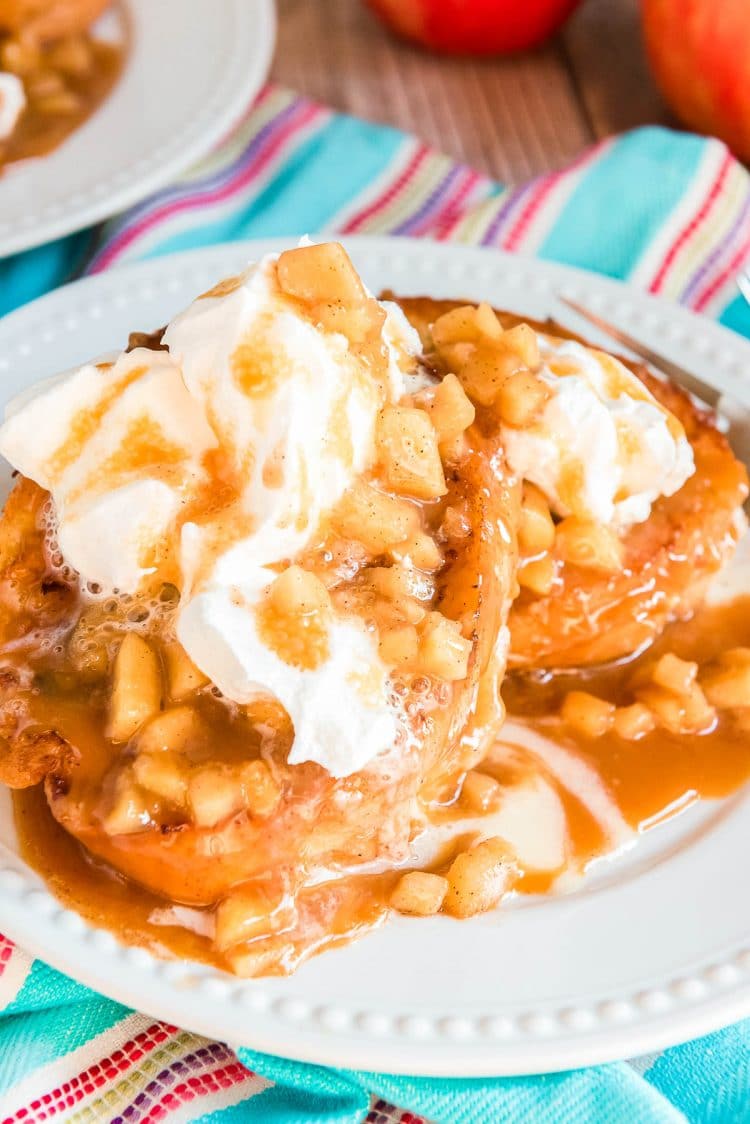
[193,69]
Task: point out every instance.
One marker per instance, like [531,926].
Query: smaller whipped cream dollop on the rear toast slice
[603,448]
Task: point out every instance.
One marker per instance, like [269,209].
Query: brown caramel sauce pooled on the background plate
[39,133]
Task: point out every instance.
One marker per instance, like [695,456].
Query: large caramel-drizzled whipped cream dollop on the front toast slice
[220,458]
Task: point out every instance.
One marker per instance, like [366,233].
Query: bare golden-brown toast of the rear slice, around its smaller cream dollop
[670,559]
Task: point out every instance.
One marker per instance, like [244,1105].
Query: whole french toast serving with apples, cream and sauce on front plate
[257,578]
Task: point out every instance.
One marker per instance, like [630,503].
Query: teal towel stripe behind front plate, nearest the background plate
[322,176]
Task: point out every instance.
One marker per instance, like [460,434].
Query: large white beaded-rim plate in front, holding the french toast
[654,951]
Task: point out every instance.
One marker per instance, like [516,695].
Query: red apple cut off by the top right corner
[700,52]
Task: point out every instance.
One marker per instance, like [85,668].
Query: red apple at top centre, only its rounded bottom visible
[475,28]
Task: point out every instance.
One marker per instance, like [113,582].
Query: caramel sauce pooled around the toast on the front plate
[648,781]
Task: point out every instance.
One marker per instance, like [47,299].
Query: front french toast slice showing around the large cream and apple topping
[55,721]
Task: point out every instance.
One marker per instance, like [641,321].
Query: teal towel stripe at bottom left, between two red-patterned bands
[34,1040]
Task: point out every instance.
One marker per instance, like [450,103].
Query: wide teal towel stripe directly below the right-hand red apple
[629,194]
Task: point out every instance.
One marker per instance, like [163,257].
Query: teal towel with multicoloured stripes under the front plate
[668,212]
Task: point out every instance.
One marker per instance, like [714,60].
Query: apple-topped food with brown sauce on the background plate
[55,72]
